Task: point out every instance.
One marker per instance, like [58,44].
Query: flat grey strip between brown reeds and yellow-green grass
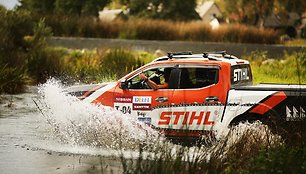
[237,49]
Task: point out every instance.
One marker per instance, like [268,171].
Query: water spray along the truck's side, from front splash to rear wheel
[83,124]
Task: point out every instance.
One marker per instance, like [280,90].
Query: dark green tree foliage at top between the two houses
[163,9]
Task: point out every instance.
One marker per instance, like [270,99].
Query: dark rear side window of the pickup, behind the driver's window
[198,77]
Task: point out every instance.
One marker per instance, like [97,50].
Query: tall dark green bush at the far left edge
[13,49]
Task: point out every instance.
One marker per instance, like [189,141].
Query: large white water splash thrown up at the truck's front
[78,123]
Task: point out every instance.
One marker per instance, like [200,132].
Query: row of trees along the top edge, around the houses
[242,11]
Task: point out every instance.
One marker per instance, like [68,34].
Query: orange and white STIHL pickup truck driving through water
[206,92]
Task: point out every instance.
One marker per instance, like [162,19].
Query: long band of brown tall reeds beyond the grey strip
[159,30]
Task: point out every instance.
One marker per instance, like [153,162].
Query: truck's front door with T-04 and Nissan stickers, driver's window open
[139,99]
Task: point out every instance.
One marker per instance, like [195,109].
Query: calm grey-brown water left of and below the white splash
[27,146]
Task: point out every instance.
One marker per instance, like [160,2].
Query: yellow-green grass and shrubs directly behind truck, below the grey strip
[98,65]
